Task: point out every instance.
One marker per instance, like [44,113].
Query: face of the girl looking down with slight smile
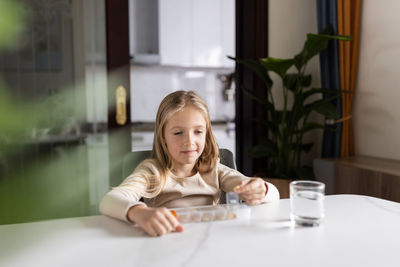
[185,136]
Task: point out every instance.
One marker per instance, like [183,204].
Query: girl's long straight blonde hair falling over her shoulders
[171,104]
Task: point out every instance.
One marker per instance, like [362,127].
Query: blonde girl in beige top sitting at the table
[184,170]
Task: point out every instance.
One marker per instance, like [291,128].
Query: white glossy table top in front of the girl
[357,231]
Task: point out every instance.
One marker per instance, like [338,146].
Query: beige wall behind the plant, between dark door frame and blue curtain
[289,22]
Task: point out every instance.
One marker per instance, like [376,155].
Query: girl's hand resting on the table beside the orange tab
[154,221]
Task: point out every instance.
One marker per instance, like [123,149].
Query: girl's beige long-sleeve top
[196,190]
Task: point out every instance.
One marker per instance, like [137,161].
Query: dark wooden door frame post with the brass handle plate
[118,70]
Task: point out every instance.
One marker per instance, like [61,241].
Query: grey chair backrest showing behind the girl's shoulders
[132,159]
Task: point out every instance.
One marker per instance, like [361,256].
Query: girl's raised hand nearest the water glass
[252,191]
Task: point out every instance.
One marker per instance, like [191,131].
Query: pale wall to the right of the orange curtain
[376,107]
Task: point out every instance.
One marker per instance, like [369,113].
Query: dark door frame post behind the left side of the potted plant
[251,43]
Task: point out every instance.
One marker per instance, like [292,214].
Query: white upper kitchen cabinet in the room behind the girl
[196,33]
